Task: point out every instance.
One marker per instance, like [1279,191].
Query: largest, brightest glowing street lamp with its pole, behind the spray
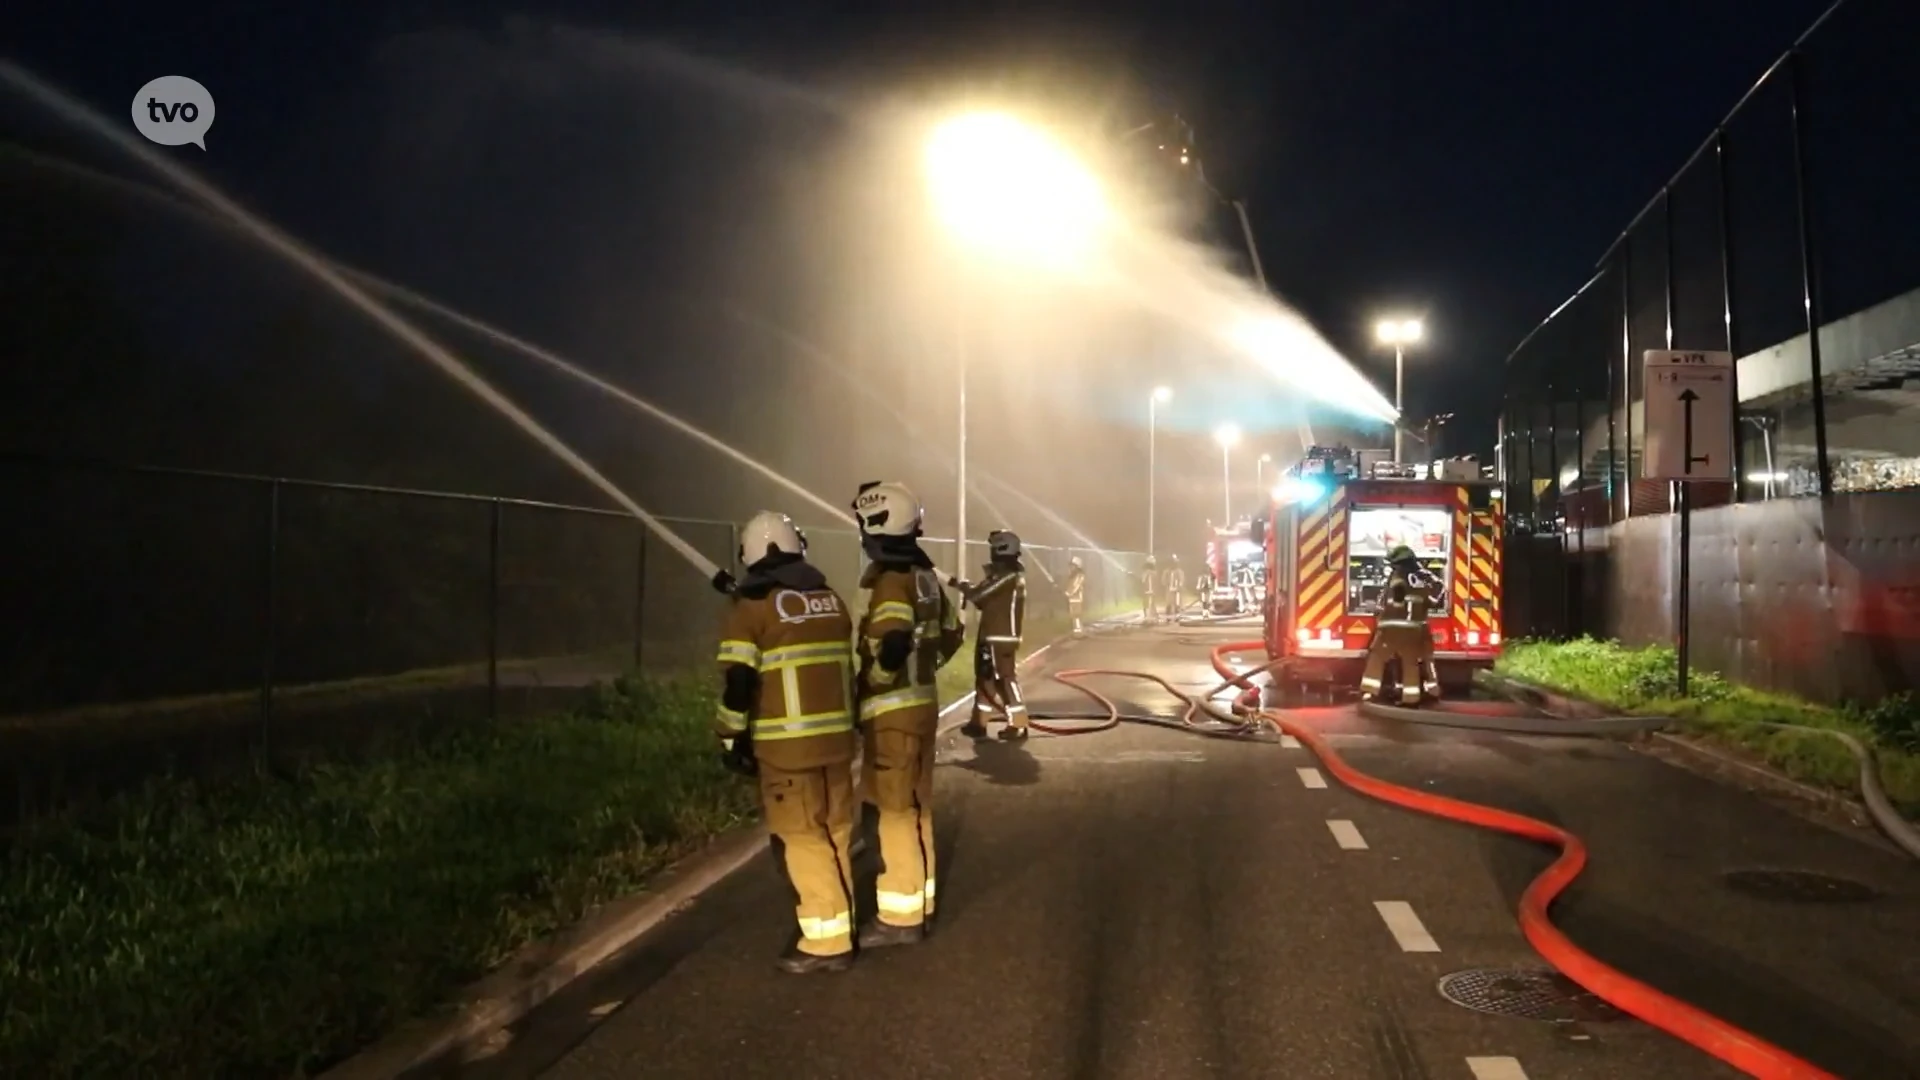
[1009,189]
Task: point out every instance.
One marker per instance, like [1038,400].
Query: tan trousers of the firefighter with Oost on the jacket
[811,816]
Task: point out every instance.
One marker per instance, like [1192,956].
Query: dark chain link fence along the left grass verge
[204,622]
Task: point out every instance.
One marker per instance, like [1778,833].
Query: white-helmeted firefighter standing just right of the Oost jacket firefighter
[907,635]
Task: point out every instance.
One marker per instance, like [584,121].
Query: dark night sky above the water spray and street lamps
[1464,162]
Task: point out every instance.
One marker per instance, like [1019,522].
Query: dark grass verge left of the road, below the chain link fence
[274,927]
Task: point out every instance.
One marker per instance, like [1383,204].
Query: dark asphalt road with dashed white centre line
[1147,904]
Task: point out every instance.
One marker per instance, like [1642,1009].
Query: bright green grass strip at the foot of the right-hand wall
[1646,681]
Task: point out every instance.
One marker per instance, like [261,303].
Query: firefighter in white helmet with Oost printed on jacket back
[786,654]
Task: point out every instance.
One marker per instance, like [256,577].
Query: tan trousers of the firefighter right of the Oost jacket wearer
[900,783]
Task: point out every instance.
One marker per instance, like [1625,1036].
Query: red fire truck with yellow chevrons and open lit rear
[1326,539]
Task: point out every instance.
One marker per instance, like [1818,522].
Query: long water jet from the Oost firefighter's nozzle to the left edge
[293,251]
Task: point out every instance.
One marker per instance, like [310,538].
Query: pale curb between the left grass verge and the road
[548,966]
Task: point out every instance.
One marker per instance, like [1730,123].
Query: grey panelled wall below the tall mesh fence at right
[1785,595]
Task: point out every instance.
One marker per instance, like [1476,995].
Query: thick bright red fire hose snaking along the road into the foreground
[1735,1046]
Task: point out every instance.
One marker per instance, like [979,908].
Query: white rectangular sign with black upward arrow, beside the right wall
[1691,416]
